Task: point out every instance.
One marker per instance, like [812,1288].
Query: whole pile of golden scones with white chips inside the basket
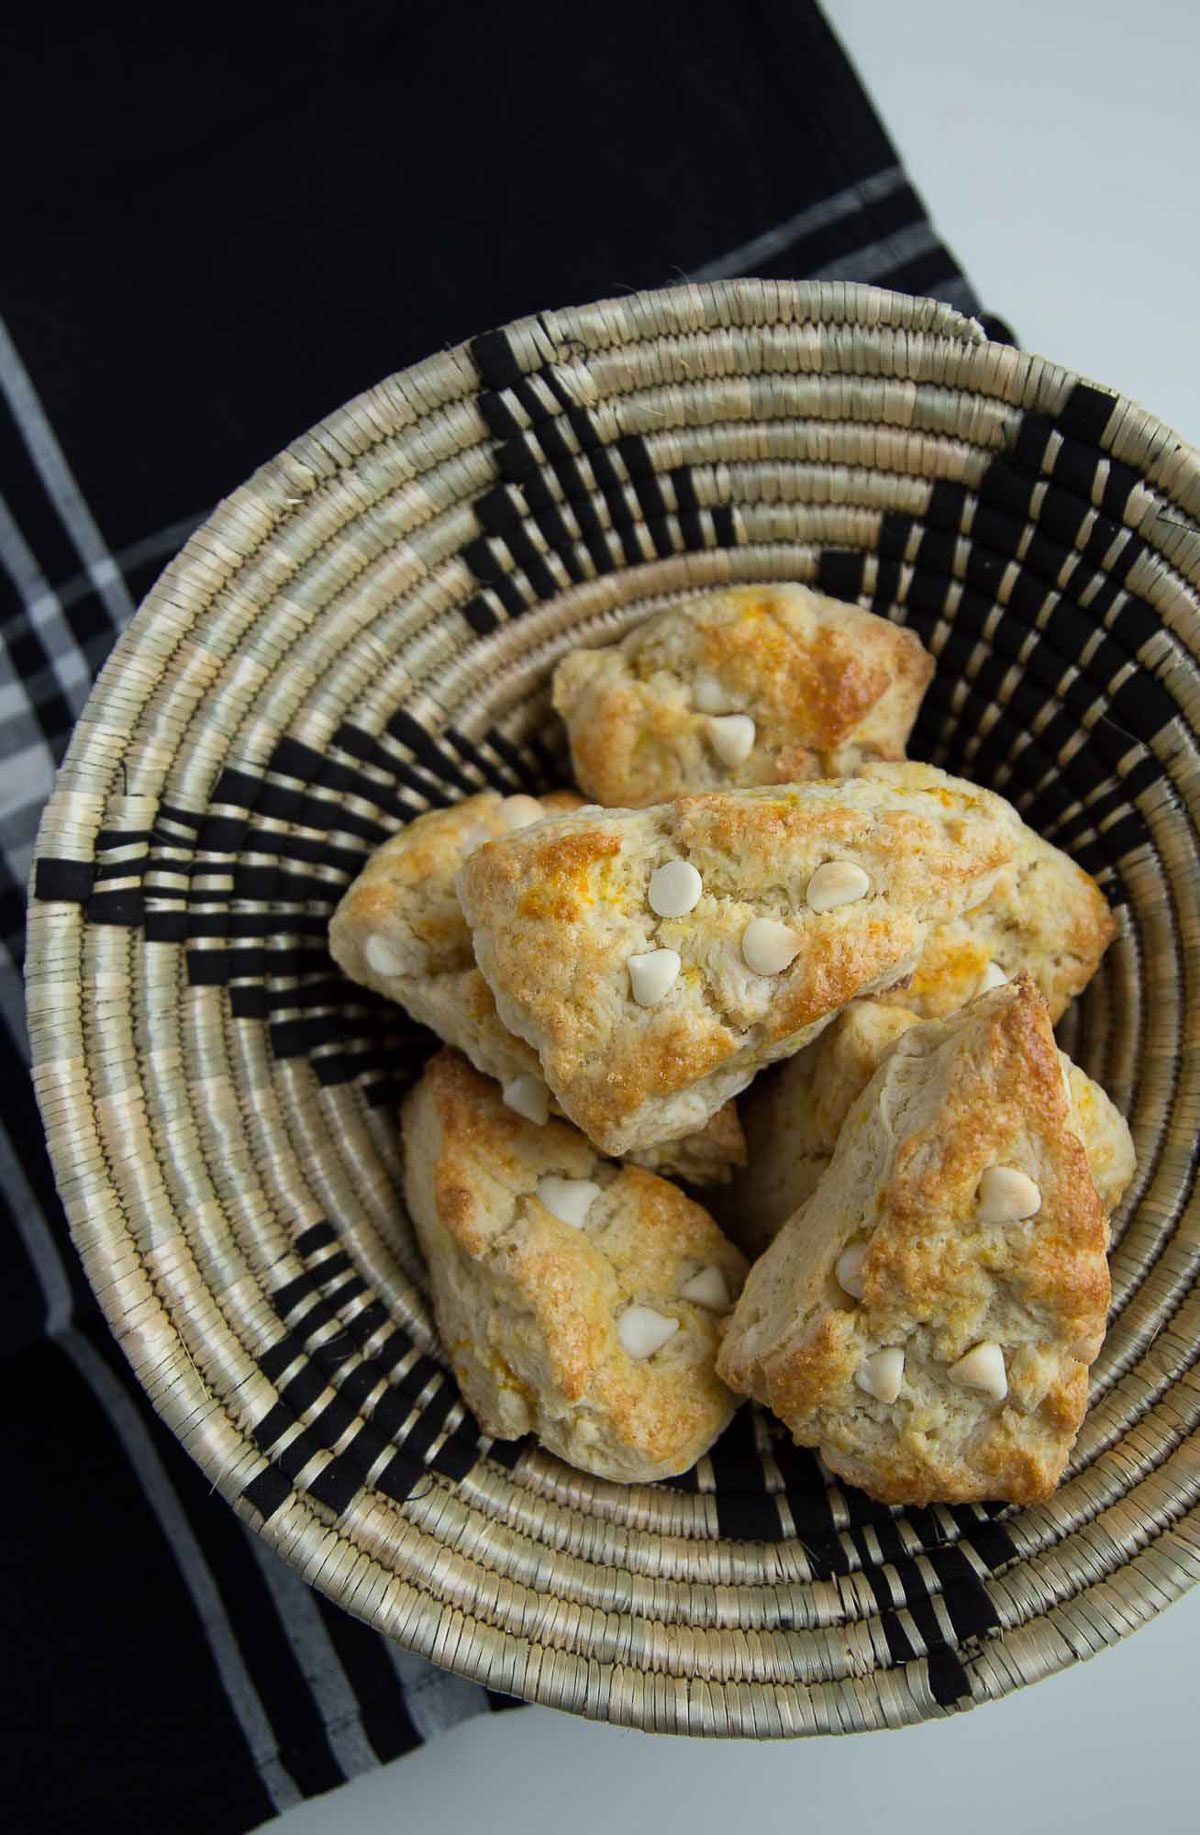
[761,880]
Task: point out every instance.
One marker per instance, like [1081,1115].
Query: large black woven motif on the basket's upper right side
[1021,673]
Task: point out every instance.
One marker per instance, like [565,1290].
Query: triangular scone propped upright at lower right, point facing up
[928,1320]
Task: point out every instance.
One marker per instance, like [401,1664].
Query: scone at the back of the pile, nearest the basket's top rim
[825,685]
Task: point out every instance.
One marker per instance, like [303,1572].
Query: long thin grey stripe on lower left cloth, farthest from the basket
[155,1484]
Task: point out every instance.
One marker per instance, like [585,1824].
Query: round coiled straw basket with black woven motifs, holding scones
[368,628]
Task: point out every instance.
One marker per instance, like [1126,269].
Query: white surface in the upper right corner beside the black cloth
[1058,150]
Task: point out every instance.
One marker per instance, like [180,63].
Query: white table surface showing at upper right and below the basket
[1058,146]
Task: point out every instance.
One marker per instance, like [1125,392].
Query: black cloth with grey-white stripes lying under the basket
[216,234]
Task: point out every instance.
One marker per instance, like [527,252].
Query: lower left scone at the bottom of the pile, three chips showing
[599,1335]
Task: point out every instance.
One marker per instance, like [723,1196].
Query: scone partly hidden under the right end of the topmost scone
[1045,917]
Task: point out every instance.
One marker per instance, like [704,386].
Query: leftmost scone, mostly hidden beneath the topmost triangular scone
[401,931]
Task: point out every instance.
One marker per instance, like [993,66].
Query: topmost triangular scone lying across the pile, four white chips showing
[790,902]
